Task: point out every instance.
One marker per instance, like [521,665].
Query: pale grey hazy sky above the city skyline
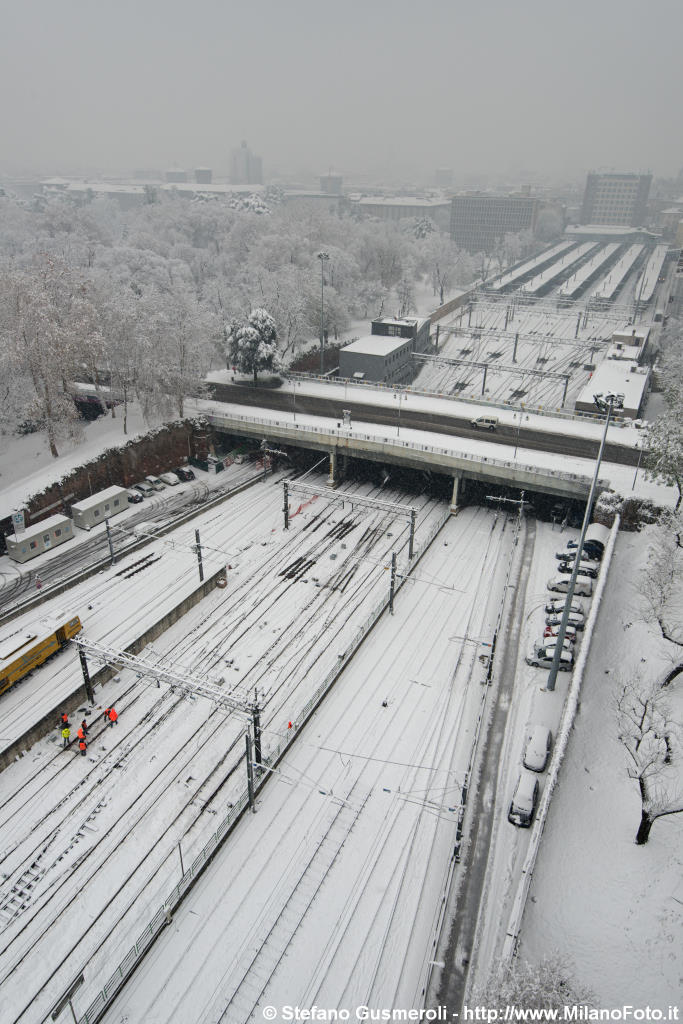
[527,89]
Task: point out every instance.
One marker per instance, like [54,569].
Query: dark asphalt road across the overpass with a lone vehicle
[458,426]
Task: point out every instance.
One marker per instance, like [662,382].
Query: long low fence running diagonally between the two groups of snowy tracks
[164,914]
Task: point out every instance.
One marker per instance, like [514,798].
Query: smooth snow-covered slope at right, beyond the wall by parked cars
[614,907]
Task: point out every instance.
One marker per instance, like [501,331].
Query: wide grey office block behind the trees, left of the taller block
[479,222]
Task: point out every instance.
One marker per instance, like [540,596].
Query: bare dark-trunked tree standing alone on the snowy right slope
[652,741]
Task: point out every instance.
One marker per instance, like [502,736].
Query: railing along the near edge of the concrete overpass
[343,434]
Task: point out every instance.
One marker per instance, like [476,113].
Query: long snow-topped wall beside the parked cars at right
[567,721]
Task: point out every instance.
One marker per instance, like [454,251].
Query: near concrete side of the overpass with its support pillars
[341,443]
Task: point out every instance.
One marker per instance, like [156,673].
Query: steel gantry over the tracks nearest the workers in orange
[188,684]
